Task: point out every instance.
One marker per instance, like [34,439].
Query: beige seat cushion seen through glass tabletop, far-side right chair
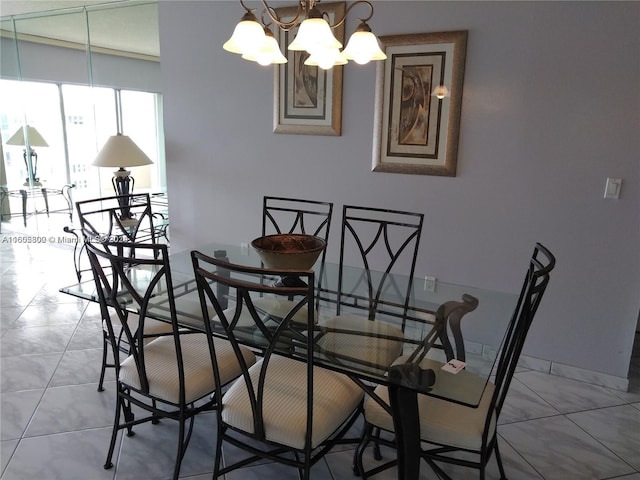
[367,348]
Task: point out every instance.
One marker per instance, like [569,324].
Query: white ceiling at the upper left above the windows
[131,28]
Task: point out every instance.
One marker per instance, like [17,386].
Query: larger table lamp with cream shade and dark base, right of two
[120,151]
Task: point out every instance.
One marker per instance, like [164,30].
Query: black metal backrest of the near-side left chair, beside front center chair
[133,295]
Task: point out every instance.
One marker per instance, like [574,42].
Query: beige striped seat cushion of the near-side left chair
[162,368]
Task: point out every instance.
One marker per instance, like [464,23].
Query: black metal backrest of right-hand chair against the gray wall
[386,241]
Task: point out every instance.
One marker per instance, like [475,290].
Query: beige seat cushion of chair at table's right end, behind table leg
[441,422]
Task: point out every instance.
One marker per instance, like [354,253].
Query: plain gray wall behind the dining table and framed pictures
[551,108]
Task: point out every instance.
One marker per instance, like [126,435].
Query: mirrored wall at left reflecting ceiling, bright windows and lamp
[77,76]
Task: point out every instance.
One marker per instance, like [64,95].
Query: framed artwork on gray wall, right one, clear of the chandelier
[415,132]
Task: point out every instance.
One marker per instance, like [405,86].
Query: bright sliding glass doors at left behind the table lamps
[76,121]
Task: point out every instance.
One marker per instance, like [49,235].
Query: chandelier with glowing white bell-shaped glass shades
[256,42]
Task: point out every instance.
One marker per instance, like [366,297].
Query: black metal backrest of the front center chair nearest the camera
[242,322]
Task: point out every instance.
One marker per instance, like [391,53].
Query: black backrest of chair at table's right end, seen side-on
[535,283]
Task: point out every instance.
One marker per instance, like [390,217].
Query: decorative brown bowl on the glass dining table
[289,251]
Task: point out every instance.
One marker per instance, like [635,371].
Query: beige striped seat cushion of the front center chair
[285,402]
